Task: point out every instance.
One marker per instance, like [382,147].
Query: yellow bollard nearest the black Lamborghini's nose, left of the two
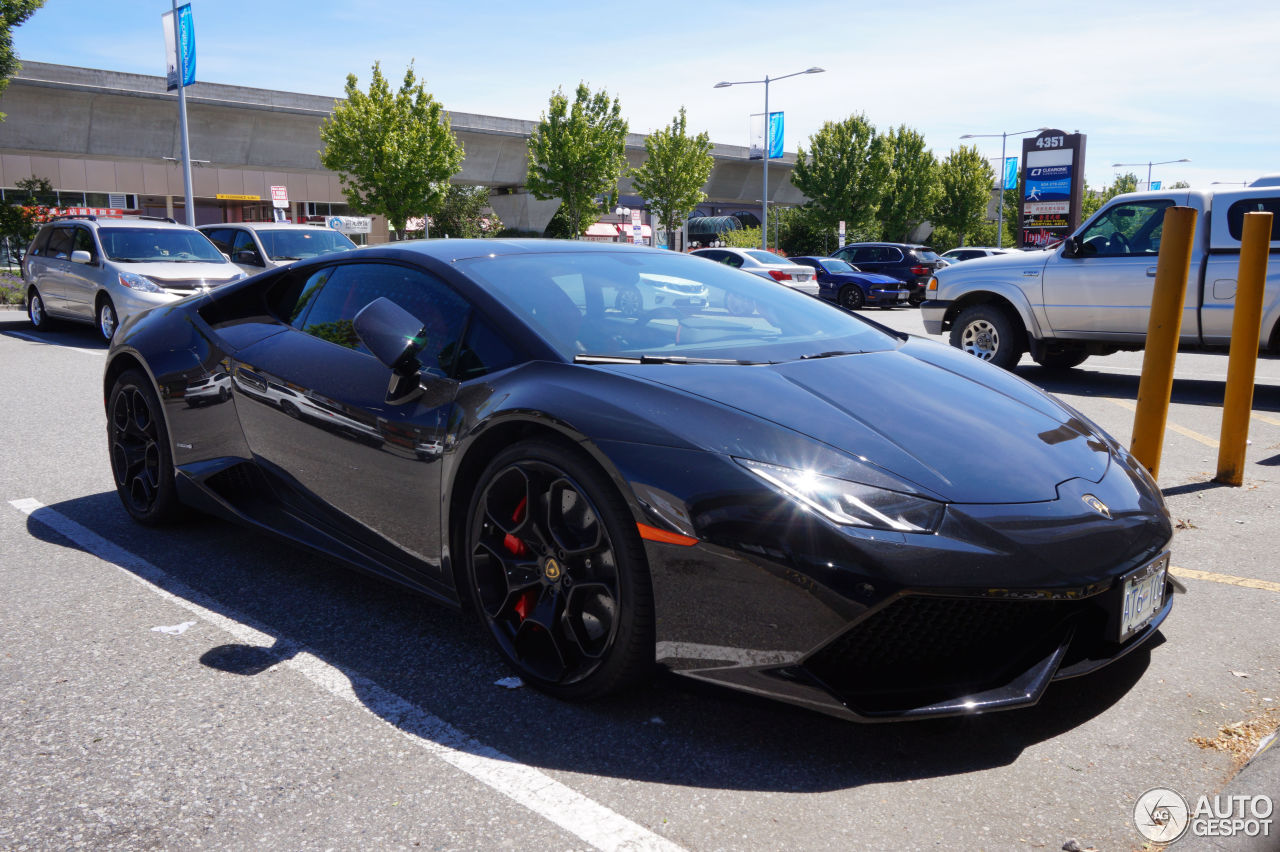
[1163,331]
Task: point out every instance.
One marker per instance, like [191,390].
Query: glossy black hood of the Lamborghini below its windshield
[927,414]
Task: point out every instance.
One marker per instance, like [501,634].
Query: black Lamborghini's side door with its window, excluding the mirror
[313,405]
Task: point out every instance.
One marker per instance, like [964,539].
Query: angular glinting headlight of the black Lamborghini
[851,503]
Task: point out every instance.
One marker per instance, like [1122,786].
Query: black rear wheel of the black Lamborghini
[141,460]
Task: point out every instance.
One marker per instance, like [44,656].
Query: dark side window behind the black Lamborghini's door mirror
[345,290]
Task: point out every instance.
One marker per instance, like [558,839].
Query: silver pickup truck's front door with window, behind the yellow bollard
[1105,288]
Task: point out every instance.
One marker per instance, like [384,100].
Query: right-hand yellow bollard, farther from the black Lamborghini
[1246,331]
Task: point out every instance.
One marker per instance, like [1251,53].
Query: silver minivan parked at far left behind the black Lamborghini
[106,271]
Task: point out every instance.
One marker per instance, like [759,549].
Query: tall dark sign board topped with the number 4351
[1049,209]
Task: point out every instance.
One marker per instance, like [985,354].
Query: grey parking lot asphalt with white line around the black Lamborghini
[289,703]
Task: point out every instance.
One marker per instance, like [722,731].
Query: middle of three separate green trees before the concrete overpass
[578,154]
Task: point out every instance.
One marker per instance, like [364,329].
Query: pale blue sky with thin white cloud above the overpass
[1144,81]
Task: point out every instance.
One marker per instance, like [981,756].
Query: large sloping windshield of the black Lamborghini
[668,306]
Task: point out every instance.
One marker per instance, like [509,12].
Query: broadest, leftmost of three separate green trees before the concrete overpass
[394,153]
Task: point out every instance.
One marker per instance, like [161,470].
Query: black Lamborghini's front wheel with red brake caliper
[557,572]
